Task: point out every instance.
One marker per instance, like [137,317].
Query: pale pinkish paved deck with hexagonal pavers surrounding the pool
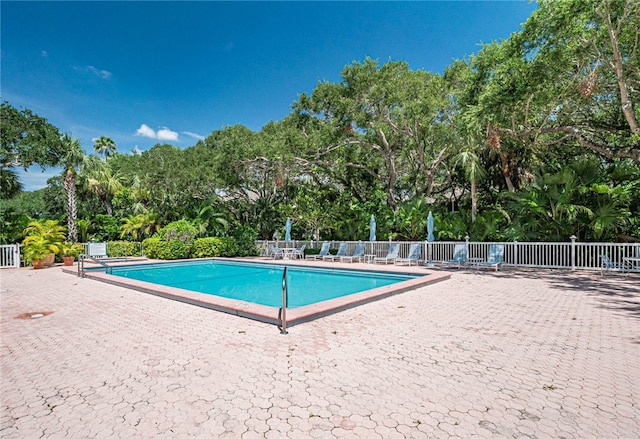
[518,353]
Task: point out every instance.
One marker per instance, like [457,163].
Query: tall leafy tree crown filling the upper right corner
[567,83]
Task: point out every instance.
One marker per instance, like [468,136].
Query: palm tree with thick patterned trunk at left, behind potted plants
[71,159]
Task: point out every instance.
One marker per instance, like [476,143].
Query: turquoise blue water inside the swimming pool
[260,283]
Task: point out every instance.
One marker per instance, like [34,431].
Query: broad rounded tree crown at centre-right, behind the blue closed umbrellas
[387,125]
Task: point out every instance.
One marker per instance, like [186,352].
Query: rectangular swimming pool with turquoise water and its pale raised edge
[318,298]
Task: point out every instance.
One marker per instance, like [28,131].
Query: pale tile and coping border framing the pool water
[268,314]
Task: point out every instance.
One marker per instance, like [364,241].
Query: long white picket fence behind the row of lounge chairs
[566,255]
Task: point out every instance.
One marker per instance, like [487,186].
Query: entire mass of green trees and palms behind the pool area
[533,138]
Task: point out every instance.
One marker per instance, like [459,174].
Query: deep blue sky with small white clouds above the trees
[153,72]
